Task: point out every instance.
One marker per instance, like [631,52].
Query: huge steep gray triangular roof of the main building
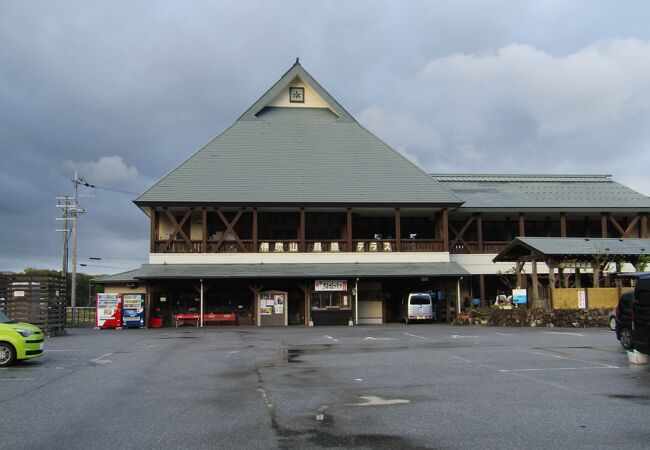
[288,156]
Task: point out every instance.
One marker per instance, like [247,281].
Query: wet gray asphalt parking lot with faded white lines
[392,386]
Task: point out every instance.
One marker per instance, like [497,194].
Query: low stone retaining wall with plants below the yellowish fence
[571,318]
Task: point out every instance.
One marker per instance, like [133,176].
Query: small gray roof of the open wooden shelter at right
[573,247]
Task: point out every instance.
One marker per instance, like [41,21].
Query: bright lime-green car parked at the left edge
[18,341]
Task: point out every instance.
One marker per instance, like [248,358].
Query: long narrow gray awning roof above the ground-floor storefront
[278,270]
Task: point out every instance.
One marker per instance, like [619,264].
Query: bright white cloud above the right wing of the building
[598,85]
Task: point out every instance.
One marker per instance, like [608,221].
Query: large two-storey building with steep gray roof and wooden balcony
[296,214]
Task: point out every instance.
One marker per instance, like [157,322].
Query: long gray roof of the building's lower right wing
[529,192]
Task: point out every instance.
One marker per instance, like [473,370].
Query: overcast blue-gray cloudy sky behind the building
[123,91]
